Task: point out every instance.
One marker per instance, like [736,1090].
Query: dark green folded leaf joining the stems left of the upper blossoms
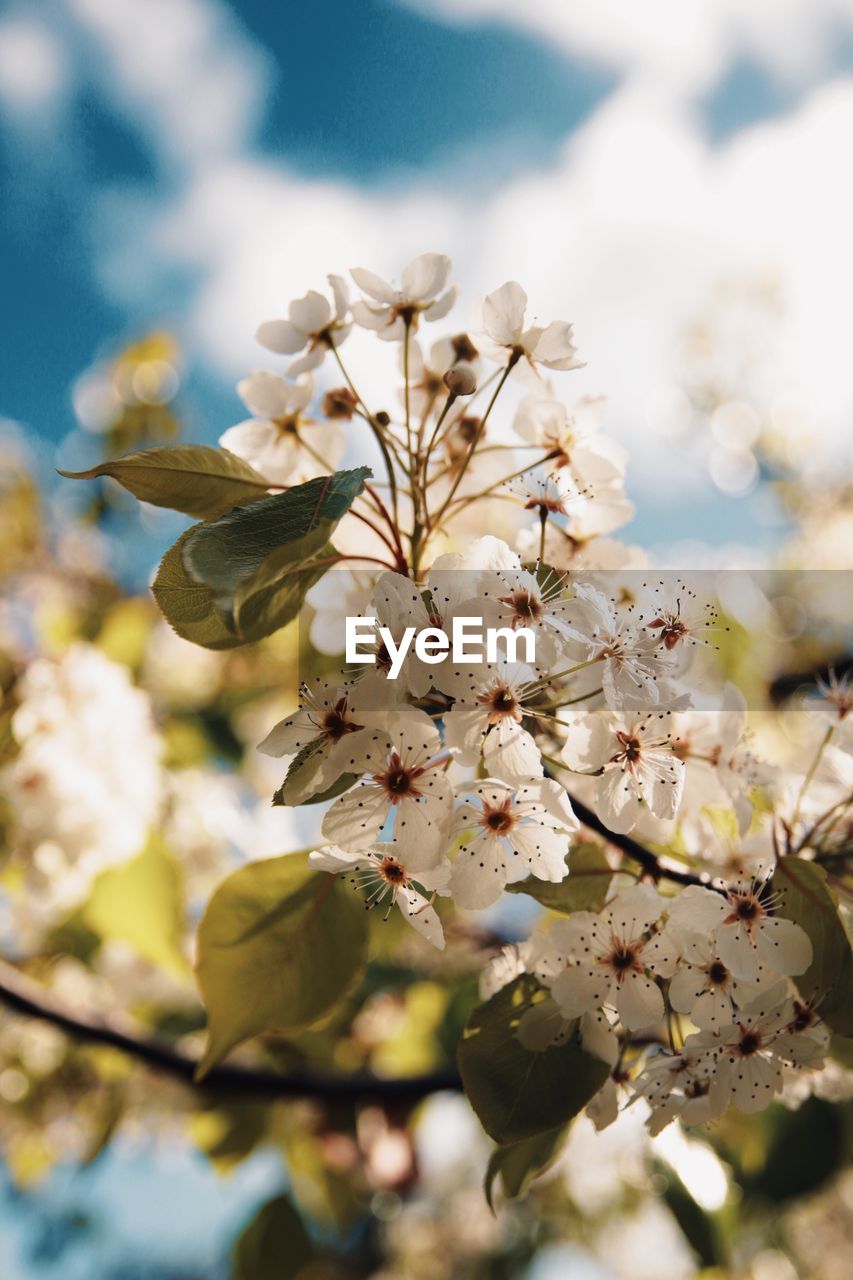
[254,554]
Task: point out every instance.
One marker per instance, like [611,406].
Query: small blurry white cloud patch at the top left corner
[33,67]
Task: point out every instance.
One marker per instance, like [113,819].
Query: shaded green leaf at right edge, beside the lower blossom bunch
[805,899]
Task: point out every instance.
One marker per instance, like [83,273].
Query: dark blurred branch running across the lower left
[25,996]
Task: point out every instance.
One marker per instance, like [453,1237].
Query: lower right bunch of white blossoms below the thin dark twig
[719,961]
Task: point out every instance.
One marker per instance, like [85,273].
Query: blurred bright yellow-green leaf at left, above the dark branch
[142,903]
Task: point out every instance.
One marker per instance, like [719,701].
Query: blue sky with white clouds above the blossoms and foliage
[153,152]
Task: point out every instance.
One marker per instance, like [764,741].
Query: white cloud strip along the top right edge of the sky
[685,44]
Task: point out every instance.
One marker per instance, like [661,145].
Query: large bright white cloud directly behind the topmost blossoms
[627,236]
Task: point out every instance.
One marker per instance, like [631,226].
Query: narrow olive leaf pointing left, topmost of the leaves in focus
[197,479]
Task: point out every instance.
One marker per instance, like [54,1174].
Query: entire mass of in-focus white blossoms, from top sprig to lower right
[453,781]
